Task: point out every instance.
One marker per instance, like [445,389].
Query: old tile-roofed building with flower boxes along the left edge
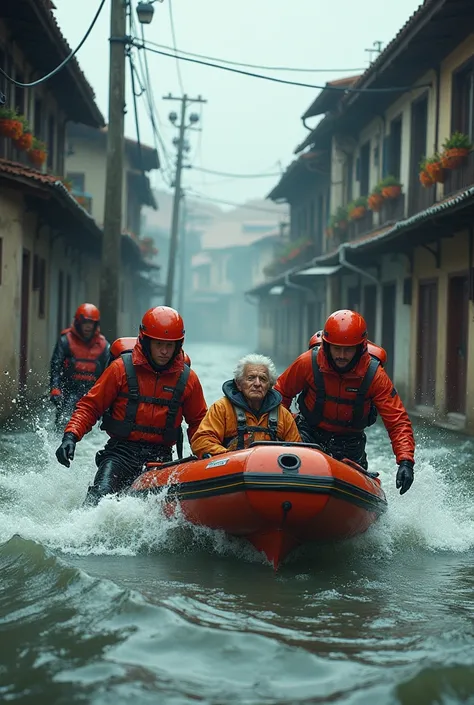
[49,244]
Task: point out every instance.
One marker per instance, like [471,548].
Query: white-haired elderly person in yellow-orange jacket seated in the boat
[251,410]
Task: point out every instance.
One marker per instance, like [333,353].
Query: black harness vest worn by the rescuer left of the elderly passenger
[169,433]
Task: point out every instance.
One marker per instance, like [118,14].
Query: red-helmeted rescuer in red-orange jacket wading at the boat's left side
[143,396]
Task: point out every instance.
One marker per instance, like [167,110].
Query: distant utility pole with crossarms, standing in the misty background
[181,145]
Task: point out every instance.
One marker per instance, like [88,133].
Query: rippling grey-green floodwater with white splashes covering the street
[114,604]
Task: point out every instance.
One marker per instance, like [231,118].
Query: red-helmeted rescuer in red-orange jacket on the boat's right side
[337,384]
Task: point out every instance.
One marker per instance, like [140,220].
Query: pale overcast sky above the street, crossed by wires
[249,126]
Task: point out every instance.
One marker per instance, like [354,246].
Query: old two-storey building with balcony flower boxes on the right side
[398,245]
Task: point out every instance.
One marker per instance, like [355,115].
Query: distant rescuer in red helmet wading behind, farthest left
[78,360]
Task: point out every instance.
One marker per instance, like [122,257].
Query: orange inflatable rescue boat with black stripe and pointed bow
[277,495]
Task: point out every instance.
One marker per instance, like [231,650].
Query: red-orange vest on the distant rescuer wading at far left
[83,363]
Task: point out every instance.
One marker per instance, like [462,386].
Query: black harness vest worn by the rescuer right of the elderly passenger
[360,419]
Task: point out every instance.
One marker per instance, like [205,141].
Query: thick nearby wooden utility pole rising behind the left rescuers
[109,302]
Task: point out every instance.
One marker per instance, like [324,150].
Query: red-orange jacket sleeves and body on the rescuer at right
[341,391]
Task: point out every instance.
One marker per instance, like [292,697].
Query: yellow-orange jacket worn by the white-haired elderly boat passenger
[218,431]
